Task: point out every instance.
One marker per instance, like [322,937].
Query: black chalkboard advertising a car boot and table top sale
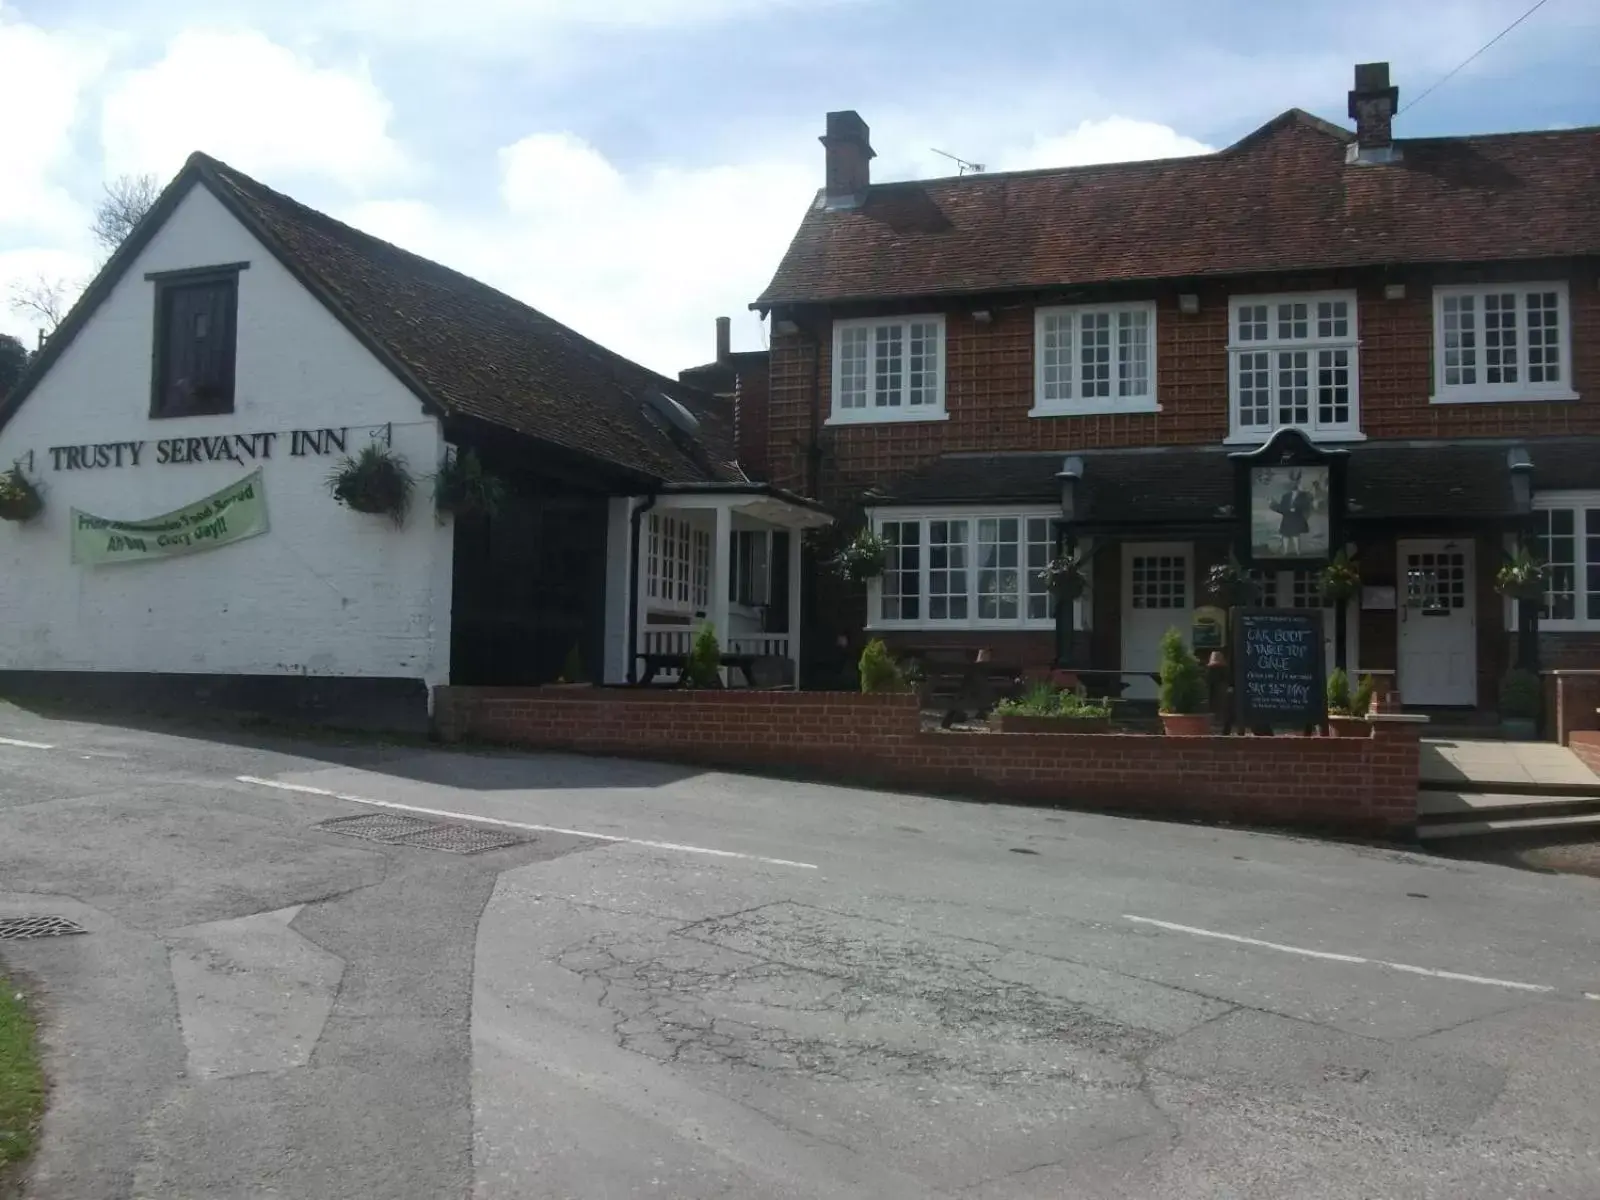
[1279,668]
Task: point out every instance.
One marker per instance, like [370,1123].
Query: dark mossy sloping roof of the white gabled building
[481,354]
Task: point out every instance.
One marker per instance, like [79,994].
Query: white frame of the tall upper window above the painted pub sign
[1273,345]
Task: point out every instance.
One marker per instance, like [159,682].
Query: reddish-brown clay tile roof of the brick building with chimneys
[1281,199]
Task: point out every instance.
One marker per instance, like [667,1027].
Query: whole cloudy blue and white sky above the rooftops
[638,167]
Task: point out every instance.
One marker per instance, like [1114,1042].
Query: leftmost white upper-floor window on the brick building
[889,369]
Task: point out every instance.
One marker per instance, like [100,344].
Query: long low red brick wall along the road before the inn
[1353,785]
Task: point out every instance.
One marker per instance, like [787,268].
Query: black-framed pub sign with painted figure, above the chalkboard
[1290,503]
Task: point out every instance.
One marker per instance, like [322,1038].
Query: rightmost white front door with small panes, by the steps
[1439,655]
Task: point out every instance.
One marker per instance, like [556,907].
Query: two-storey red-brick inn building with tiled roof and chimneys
[945,350]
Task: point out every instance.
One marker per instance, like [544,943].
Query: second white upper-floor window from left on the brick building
[1095,359]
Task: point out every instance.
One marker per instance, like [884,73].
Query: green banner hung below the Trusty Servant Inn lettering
[230,516]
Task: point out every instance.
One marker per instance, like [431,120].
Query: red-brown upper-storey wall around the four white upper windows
[990,386]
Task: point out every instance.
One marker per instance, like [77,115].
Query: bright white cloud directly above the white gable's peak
[255,105]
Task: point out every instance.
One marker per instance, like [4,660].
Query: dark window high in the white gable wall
[196,332]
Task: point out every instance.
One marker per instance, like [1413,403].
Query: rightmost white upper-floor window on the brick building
[1503,342]
